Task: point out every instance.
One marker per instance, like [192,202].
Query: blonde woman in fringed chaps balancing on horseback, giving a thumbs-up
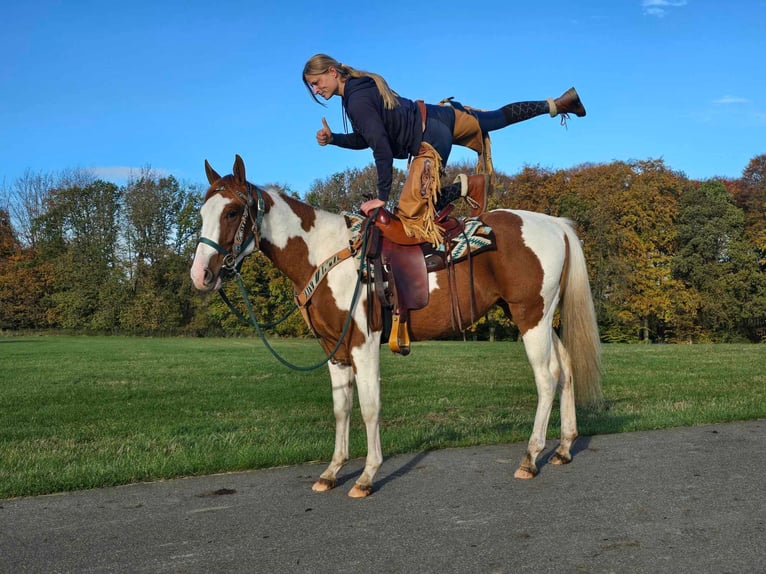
[396,127]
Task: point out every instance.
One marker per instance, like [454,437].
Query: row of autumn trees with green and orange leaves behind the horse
[670,259]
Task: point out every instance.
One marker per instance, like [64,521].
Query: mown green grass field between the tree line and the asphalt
[85,412]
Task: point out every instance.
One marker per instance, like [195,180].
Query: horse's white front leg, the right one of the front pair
[367,361]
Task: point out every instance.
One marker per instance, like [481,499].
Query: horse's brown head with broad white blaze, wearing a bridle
[229,226]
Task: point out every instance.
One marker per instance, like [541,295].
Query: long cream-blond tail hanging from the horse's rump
[579,329]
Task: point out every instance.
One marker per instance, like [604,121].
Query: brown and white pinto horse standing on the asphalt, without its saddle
[536,269]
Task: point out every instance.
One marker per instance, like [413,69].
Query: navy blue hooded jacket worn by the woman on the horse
[395,133]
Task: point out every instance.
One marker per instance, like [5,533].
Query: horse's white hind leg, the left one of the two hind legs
[538,345]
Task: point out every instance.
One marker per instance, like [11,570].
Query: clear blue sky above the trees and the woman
[119,86]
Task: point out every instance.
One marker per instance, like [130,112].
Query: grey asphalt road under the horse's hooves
[681,500]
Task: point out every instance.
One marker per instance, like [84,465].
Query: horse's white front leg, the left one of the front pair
[342,377]
